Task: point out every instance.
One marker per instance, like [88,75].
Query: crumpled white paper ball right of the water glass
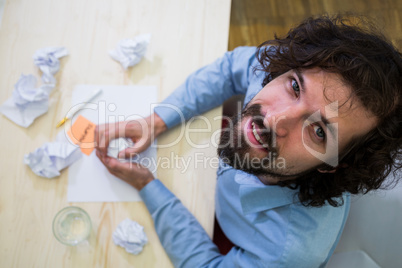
[131,236]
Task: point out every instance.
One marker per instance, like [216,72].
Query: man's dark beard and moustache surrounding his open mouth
[235,150]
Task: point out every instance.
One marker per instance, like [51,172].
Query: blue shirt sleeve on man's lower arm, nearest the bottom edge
[183,238]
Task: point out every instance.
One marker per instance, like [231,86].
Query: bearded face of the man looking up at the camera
[292,127]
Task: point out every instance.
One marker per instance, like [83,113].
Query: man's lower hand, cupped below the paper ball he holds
[132,173]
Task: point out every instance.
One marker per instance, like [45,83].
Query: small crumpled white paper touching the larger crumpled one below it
[47,59]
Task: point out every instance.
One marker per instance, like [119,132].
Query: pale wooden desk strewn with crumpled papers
[185,36]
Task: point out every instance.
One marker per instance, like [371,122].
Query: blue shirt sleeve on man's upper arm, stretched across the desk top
[209,87]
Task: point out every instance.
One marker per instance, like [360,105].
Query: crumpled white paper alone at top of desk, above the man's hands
[129,52]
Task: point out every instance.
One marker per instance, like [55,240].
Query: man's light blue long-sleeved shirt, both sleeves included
[267,223]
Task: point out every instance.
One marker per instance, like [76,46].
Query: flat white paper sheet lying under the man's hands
[88,179]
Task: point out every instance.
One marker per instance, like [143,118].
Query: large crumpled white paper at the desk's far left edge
[27,102]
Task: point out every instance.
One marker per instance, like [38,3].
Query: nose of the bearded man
[281,121]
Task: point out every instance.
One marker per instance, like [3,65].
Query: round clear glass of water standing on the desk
[71,226]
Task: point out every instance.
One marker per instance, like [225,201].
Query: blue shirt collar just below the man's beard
[257,197]
